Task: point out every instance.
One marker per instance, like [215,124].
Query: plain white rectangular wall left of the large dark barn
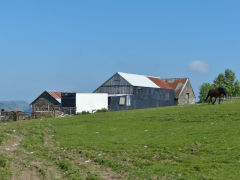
[91,102]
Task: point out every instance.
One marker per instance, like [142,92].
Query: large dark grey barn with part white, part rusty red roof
[131,91]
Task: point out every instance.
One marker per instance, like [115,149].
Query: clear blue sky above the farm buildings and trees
[77,45]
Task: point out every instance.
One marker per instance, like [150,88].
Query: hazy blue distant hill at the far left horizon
[15,105]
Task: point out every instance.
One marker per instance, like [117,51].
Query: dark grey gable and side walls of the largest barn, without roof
[140,97]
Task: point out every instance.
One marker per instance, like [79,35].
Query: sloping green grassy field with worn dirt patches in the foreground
[189,142]
